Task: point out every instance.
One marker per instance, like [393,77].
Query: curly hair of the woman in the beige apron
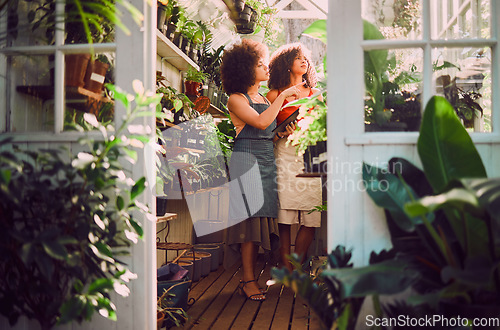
[281,63]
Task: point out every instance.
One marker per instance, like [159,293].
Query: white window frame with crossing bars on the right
[345,18]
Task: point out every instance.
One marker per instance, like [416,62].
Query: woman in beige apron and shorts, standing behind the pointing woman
[290,65]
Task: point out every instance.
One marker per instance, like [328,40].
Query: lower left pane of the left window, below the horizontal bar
[29,83]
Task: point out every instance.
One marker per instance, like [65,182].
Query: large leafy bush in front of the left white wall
[66,222]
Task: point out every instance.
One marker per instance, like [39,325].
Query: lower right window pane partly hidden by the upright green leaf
[463,76]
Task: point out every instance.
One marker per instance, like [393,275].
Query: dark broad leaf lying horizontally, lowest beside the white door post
[387,277]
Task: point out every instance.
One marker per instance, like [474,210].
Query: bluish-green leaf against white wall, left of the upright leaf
[390,193]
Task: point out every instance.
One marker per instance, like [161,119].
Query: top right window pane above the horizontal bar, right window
[459,19]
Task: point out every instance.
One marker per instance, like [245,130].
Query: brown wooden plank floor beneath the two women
[217,304]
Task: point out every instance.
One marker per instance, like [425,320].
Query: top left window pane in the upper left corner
[28,23]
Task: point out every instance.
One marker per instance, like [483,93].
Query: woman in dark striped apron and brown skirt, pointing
[253,195]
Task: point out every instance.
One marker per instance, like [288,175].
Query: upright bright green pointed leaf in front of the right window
[445,147]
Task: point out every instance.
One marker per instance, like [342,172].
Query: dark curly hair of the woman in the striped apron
[238,65]
